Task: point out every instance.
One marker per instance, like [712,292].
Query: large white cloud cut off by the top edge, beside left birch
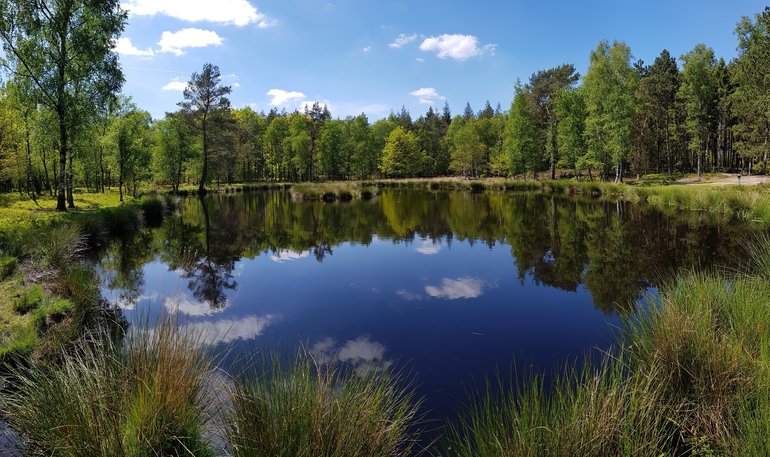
[235,12]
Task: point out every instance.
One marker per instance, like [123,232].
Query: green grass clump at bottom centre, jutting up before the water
[307,410]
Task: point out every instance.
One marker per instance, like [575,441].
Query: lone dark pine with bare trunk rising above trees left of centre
[205,96]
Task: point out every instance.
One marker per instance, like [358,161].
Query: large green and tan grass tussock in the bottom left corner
[140,398]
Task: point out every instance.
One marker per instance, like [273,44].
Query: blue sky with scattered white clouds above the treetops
[375,56]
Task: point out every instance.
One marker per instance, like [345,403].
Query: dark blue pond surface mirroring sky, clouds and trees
[448,286]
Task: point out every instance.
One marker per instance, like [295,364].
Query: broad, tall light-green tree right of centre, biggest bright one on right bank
[611,105]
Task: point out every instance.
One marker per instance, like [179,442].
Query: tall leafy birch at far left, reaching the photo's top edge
[62,51]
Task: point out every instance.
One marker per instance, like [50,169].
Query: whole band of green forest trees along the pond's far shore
[65,124]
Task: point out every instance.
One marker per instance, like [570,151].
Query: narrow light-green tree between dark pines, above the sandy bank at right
[699,94]
